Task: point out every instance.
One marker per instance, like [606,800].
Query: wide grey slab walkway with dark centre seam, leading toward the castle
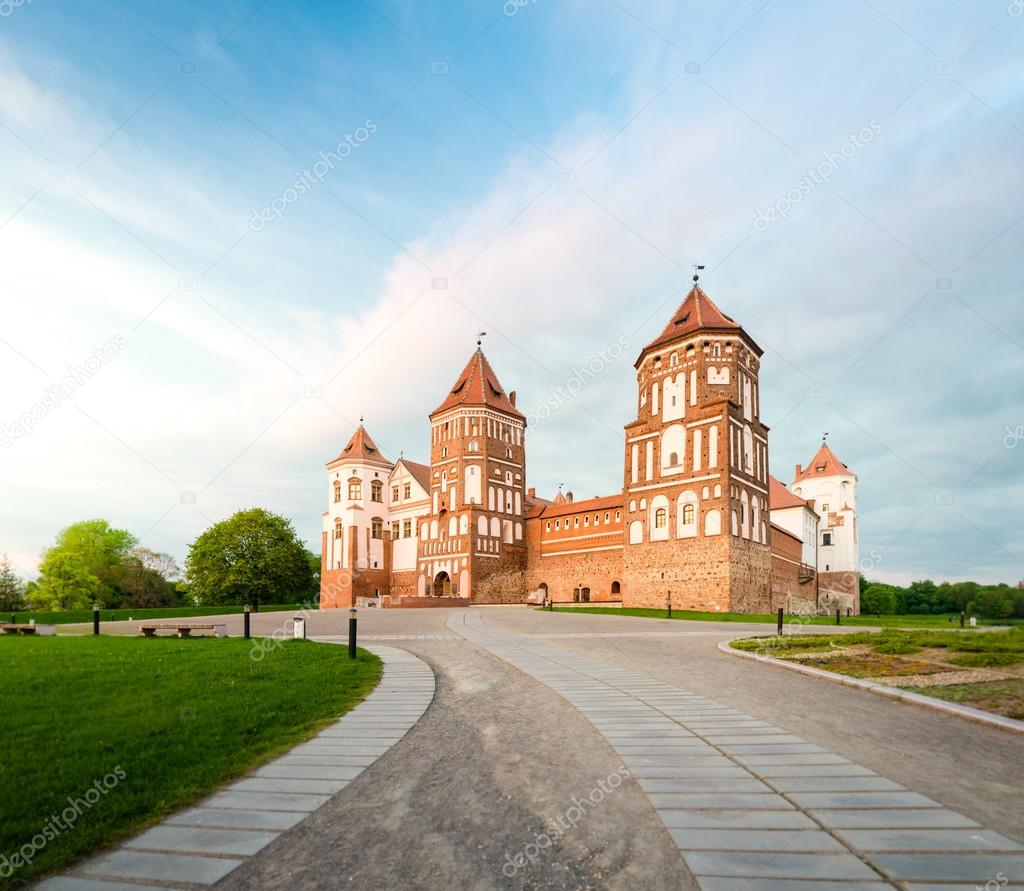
[752,807]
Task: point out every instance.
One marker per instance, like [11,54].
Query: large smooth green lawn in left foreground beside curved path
[164,720]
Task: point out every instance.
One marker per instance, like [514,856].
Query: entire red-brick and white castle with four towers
[699,522]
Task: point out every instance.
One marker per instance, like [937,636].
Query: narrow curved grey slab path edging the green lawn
[202,845]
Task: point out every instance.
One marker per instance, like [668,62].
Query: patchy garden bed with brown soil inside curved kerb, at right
[893,656]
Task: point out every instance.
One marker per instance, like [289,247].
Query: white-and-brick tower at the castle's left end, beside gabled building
[356,559]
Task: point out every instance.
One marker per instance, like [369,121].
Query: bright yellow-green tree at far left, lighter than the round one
[82,567]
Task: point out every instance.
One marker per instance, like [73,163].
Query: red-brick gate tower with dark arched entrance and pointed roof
[473,544]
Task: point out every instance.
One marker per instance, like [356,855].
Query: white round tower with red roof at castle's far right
[833,488]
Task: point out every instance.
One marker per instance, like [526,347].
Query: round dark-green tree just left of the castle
[252,557]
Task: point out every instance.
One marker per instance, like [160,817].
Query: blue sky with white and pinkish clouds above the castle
[229,231]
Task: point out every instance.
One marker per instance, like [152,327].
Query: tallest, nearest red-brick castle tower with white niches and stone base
[697,469]
